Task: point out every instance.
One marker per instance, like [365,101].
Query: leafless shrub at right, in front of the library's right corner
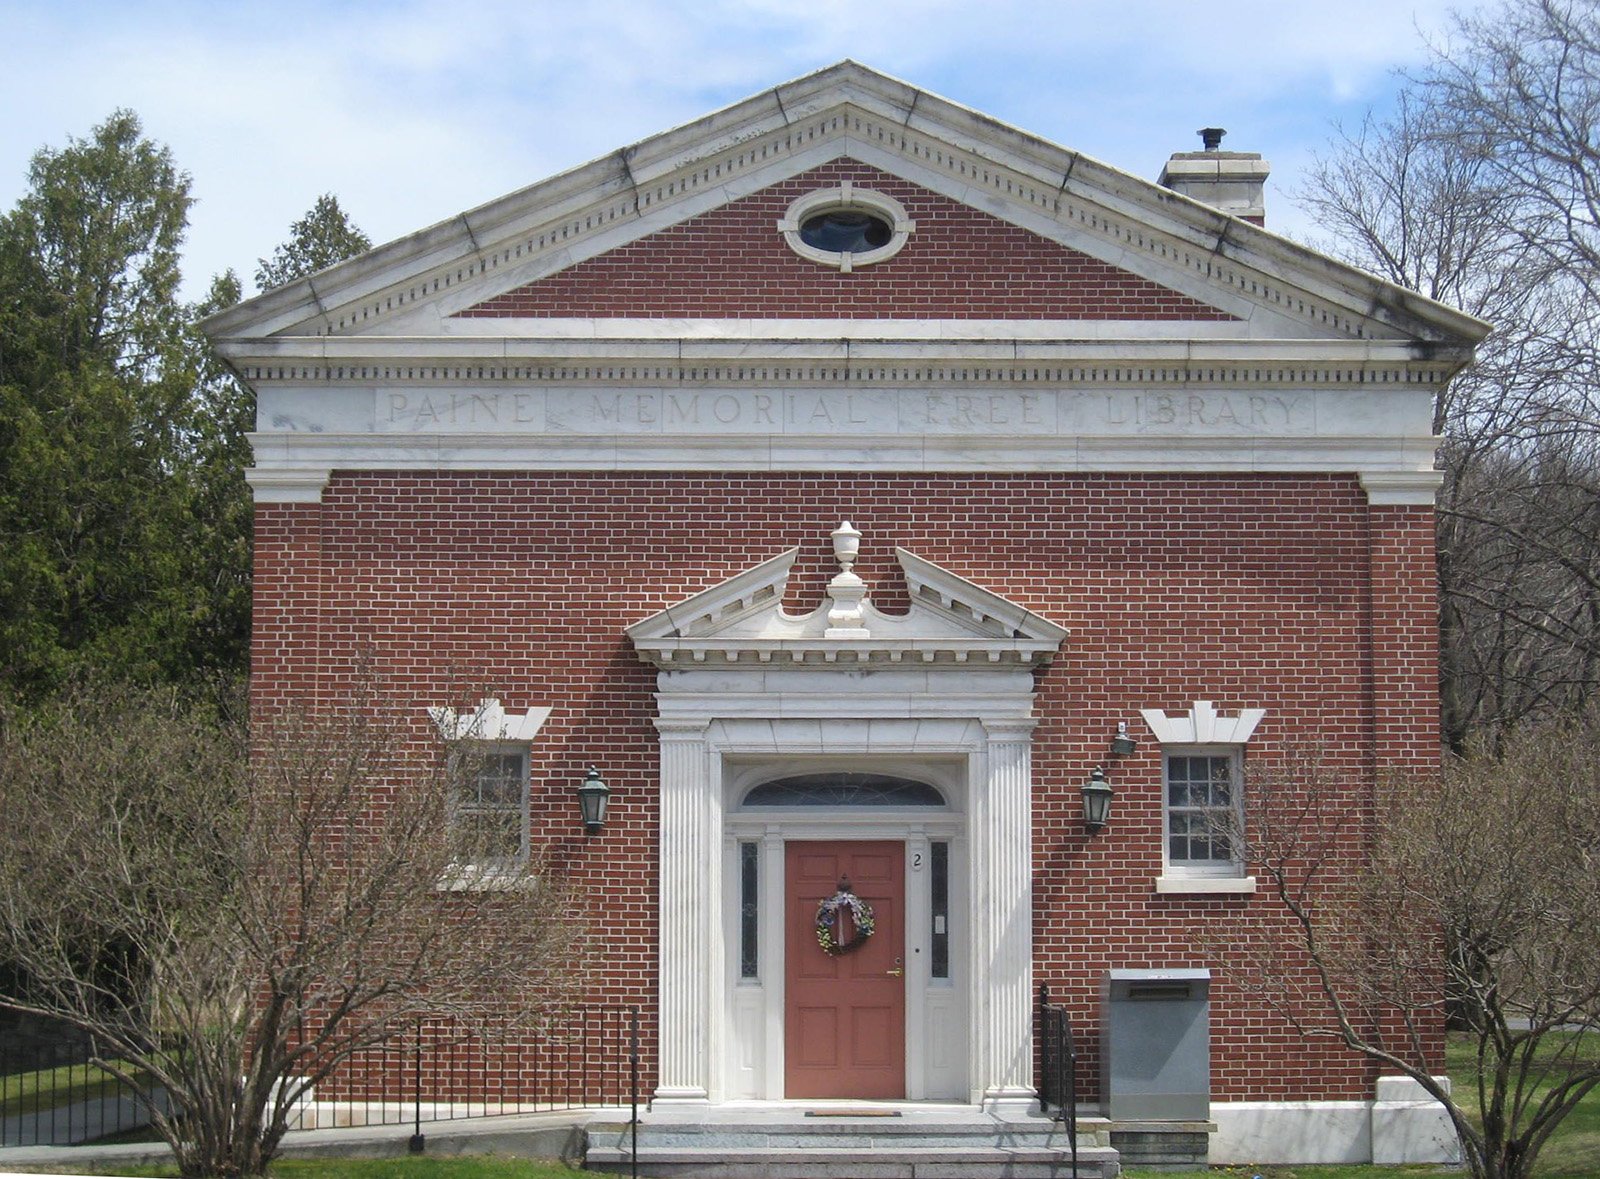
[1479,897]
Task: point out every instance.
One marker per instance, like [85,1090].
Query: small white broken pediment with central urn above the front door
[951,623]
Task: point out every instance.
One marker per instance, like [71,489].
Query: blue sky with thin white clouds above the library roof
[412,111]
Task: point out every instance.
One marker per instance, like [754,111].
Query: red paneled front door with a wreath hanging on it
[846,1017]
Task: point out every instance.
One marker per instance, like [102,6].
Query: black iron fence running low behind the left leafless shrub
[438,1071]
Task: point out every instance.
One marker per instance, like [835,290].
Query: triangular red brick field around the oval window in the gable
[961,263]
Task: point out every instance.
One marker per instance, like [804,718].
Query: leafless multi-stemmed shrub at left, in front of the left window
[233,924]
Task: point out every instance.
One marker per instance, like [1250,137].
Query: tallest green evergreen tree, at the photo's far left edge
[95,414]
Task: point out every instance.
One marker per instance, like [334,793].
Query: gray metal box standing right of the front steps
[1156,1045]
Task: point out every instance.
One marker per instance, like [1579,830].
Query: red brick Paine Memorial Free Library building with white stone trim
[1114,455]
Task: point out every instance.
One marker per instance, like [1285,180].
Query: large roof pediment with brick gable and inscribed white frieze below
[1041,313]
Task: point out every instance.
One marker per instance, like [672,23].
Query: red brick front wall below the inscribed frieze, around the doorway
[1278,591]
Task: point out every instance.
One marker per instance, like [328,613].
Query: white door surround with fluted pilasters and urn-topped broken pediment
[948,684]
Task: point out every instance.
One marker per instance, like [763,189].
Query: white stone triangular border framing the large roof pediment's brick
[417,289]
